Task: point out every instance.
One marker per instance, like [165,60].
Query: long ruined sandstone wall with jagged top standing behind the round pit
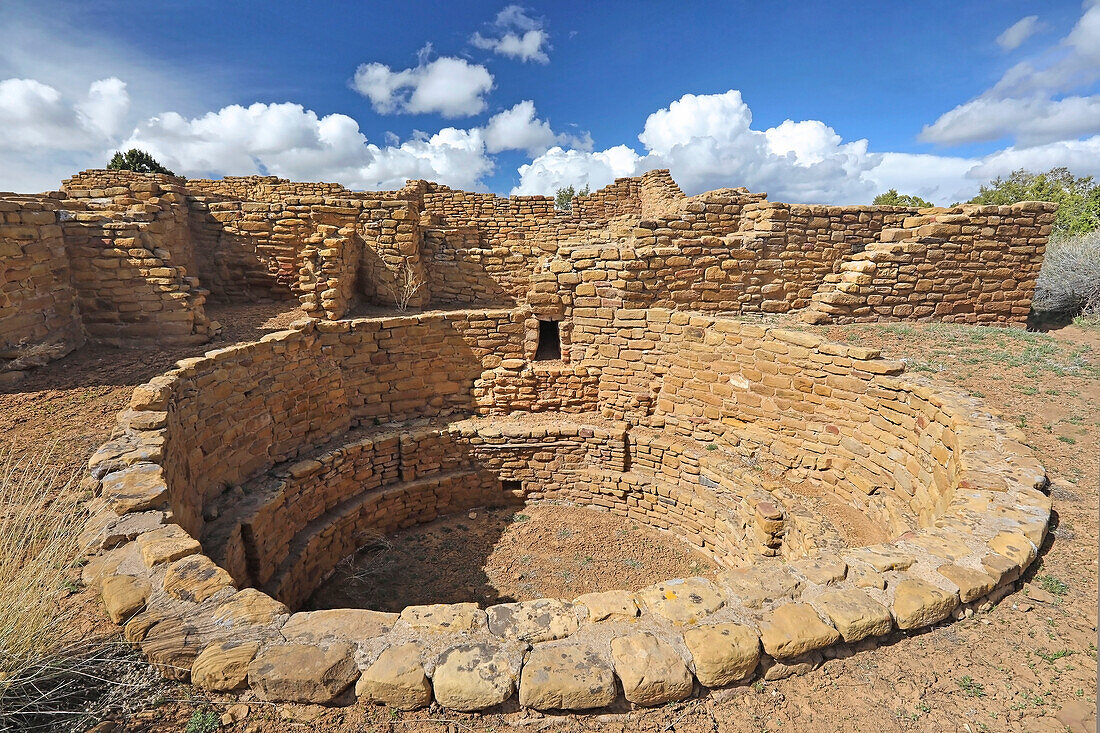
[146,250]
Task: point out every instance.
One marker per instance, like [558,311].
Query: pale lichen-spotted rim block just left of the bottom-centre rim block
[474,677]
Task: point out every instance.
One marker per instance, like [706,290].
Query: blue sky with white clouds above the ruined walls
[811,102]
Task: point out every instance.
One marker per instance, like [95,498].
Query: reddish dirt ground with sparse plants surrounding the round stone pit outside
[1027,665]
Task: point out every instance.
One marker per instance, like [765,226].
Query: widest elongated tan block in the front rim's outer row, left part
[303,673]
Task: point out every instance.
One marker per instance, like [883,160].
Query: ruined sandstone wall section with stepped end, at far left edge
[111,265]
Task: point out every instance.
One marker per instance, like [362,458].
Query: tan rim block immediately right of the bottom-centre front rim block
[652,671]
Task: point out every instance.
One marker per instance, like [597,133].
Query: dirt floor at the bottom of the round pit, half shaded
[505,555]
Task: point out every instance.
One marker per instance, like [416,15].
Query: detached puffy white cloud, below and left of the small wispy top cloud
[453,87]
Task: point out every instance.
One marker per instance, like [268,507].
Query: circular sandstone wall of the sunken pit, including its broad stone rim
[237,482]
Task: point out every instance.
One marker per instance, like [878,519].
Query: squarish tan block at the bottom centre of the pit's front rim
[573,677]
